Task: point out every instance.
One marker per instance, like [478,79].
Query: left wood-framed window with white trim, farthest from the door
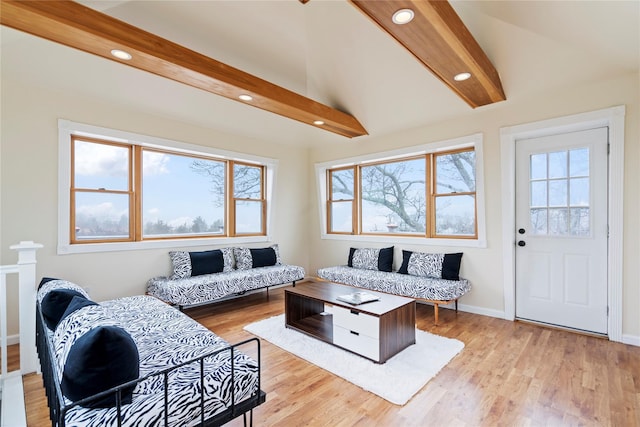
[123,188]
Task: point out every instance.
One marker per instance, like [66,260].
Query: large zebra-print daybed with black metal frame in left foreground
[136,361]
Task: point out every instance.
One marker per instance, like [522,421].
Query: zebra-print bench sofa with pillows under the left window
[206,276]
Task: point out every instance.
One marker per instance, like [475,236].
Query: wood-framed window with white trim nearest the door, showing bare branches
[430,192]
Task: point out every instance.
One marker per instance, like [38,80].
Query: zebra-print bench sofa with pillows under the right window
[432,278]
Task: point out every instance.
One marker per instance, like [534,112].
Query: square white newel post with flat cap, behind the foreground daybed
[27,303]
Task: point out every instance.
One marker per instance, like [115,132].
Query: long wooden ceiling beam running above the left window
[86,29]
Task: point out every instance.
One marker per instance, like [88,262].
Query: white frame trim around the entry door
[613,118]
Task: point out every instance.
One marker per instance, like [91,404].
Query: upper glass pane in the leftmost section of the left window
[98,165]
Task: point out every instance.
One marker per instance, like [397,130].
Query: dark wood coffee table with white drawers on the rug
[376,330]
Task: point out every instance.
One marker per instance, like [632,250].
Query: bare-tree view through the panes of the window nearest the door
[393,195]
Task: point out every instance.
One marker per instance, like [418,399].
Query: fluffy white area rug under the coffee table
[397,380]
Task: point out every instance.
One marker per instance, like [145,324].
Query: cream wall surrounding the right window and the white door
[484,266]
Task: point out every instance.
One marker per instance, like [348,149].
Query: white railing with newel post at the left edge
[11,382]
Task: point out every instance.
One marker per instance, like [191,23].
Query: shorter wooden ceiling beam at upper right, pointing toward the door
[438,38]
